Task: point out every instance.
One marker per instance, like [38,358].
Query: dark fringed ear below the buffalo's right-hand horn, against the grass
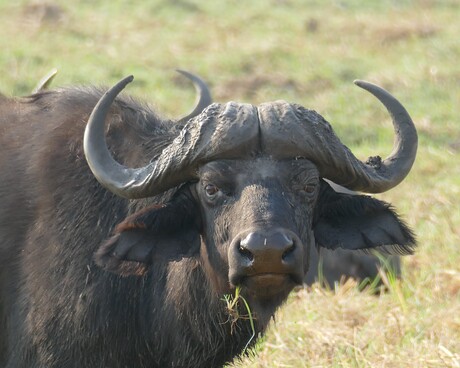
[352,221]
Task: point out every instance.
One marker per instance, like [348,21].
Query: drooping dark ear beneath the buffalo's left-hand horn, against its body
[157,234]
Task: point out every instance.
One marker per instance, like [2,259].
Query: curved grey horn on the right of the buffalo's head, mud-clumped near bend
[290,130]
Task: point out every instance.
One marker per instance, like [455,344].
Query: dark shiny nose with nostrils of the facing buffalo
[267,249]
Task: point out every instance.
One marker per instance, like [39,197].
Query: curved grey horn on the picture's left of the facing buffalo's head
[226,131]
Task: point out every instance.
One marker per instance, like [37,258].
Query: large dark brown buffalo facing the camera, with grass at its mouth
[129,240]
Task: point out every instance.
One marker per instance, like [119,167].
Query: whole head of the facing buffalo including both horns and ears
[251,197]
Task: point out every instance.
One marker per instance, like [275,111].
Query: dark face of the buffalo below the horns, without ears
[257,216]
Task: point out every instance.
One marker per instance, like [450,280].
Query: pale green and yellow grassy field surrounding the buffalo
[308,52]
